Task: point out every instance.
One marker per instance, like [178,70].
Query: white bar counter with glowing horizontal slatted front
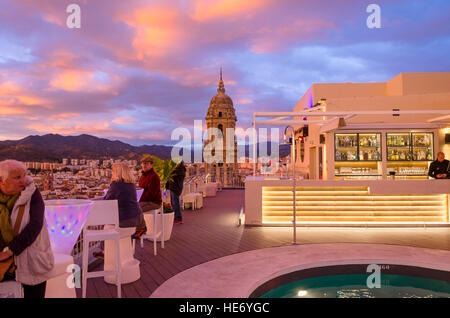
[269,201]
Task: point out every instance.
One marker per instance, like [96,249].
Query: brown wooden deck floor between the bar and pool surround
[213,232]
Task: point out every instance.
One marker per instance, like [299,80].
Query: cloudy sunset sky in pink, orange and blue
[137,69]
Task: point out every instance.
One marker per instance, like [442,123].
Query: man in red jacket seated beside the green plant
[151,197]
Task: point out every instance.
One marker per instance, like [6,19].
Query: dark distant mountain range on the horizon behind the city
[54,147]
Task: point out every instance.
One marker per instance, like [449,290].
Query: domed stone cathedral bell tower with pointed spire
[221,115]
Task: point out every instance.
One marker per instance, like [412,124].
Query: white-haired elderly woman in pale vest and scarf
[21,205]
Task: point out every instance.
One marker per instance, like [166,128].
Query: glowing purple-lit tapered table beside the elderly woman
[65,220]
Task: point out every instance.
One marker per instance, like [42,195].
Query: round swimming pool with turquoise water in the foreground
[351,281]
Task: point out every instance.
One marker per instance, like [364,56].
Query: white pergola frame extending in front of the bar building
[288,119]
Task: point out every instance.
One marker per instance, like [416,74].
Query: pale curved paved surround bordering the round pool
[238,275]
